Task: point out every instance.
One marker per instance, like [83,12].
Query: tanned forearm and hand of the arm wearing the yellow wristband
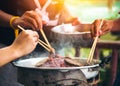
[30,19]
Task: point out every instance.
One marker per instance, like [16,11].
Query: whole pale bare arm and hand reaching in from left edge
[24,44]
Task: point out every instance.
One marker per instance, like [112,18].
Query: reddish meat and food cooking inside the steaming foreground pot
[59,61]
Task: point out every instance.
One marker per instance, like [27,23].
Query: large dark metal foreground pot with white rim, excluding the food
[29,75]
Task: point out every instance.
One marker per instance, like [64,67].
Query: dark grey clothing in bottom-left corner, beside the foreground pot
[8,75]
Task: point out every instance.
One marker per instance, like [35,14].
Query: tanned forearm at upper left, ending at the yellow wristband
[5,19]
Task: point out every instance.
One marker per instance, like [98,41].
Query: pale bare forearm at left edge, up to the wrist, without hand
[7,55]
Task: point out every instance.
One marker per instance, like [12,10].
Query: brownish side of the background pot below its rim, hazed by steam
[81,39]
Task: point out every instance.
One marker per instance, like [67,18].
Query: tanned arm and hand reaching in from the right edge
[107,26]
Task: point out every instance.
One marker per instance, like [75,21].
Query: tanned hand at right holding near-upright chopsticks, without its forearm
[105,28]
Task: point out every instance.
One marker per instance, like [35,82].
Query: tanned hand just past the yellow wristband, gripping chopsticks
[30,19]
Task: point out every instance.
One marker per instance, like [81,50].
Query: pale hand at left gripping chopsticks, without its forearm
[26,42]
